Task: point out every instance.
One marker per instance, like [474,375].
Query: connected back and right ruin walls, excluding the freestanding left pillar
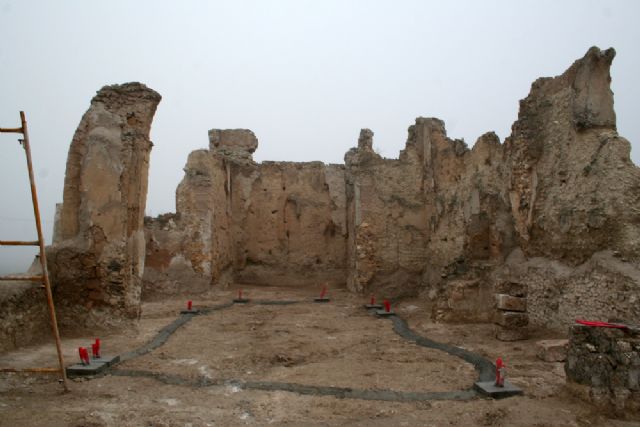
[554,207]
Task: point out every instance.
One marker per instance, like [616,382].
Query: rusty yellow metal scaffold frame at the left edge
[44,277]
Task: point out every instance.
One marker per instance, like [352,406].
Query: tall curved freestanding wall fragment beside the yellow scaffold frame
[97,261]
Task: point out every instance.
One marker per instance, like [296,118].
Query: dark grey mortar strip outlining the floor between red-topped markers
[484,367]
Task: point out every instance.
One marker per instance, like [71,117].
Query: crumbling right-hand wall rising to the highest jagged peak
[540,209]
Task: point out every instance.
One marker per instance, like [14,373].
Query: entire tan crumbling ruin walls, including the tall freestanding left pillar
[555,208]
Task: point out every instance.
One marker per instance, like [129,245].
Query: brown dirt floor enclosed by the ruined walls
[337,344]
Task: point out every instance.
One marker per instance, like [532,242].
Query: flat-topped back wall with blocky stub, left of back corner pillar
[271,223]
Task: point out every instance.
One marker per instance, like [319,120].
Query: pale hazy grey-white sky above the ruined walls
[305,76]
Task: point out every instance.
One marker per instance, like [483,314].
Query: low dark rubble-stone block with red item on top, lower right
[607,363]
